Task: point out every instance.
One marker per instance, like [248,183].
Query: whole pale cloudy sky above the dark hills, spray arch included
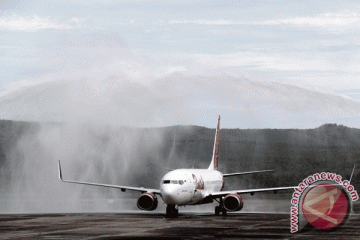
[192,59]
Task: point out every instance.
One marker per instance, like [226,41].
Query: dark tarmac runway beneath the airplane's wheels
[147,225]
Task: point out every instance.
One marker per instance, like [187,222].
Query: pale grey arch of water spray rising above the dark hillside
[179,98]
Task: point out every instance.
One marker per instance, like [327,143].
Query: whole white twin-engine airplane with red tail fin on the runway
[183,187]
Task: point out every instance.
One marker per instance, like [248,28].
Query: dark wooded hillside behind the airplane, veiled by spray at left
[140,155]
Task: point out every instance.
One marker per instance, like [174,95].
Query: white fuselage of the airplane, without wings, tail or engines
[190,186]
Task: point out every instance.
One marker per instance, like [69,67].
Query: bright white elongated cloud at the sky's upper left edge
[35,23]
